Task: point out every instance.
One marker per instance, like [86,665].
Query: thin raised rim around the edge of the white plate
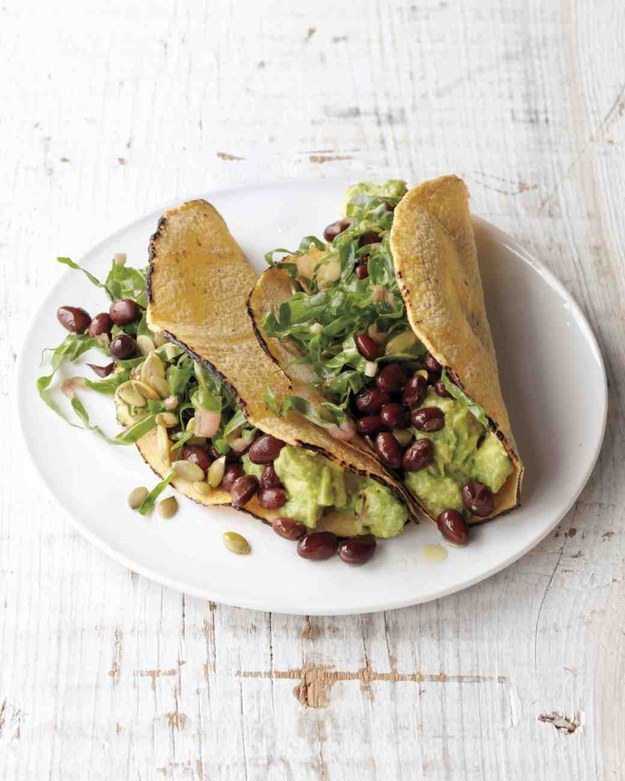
[249,602]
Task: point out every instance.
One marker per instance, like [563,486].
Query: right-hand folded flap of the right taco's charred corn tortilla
[435,257]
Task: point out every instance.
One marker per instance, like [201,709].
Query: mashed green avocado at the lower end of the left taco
[314,483]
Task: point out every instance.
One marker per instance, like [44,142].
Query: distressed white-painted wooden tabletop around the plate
[109,109]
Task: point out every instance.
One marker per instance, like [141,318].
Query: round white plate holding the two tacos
[553,381]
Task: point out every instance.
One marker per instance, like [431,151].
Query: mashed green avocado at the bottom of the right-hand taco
[463,450]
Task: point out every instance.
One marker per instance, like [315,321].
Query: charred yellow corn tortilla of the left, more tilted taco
[198,284]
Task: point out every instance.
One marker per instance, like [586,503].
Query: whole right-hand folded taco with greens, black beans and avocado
[386,319]
